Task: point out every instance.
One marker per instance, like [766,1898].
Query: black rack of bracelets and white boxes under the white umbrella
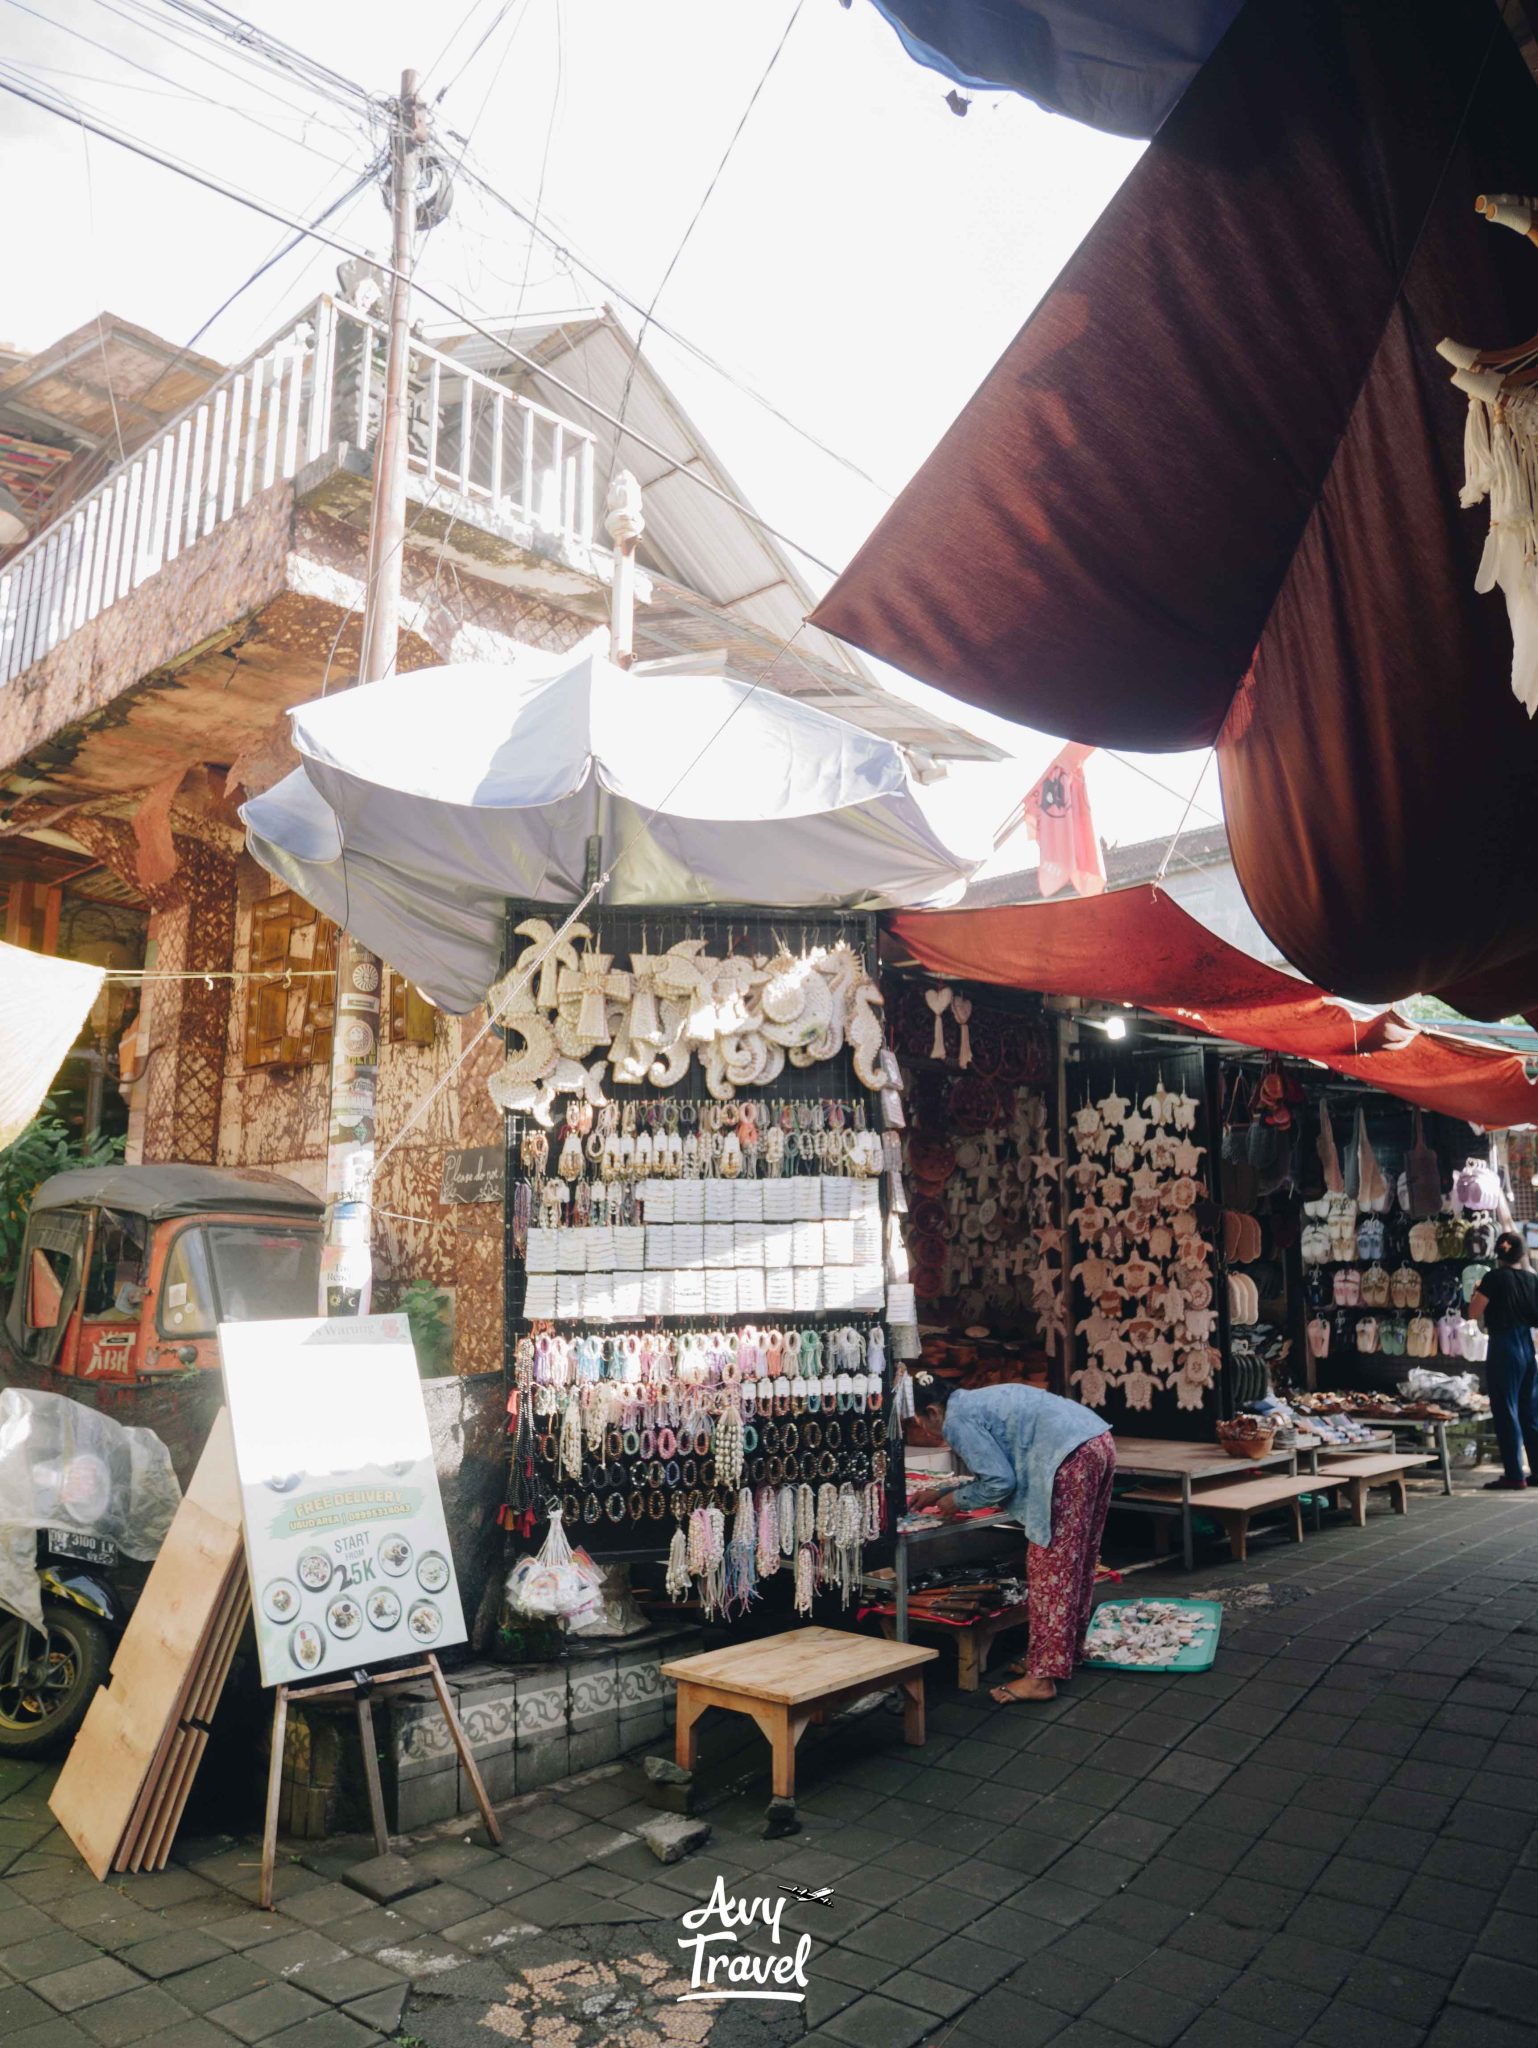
[697,1271]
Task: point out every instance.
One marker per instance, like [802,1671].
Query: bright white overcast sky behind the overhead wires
[861,261]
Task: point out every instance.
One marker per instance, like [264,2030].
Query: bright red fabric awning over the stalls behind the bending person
[1140,947]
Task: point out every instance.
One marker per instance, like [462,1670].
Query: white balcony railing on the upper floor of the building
[316,386]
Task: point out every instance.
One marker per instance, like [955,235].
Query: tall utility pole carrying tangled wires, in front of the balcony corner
[347,1258]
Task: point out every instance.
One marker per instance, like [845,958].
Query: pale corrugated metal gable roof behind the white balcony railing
[718,579]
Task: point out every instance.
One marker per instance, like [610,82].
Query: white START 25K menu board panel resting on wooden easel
[345,1531]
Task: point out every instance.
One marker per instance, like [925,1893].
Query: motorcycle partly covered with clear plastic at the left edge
[85,1506]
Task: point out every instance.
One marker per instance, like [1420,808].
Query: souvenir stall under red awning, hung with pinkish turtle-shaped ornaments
[1240,1228]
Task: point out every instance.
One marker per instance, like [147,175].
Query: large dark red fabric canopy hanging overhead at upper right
[1224,458]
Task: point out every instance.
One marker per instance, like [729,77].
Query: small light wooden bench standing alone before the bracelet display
[787,1682]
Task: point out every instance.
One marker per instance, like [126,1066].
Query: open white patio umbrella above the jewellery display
[429,800]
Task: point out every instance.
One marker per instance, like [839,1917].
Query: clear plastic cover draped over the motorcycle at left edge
[62,1465]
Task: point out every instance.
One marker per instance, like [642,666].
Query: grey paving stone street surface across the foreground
[1326,1840]
